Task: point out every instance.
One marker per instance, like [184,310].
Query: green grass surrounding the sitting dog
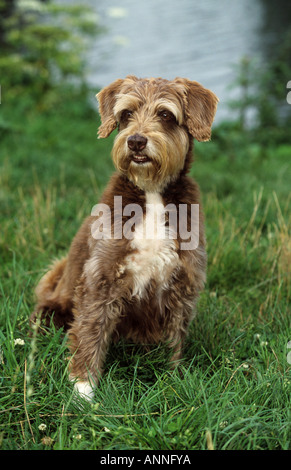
[235,393]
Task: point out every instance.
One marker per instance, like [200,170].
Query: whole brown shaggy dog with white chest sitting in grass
[121,277]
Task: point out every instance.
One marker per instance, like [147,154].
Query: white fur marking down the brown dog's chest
[155,255]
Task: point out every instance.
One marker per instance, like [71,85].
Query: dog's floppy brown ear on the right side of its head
[200,107]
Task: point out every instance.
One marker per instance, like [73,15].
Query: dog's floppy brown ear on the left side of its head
[106,99]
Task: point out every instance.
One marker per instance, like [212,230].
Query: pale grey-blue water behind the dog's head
[200,40]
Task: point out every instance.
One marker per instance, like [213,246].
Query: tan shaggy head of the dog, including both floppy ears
[156,118]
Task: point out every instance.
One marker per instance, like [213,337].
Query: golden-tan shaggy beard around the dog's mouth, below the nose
[166,159]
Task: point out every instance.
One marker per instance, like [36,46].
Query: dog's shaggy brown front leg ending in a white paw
[89,337]
